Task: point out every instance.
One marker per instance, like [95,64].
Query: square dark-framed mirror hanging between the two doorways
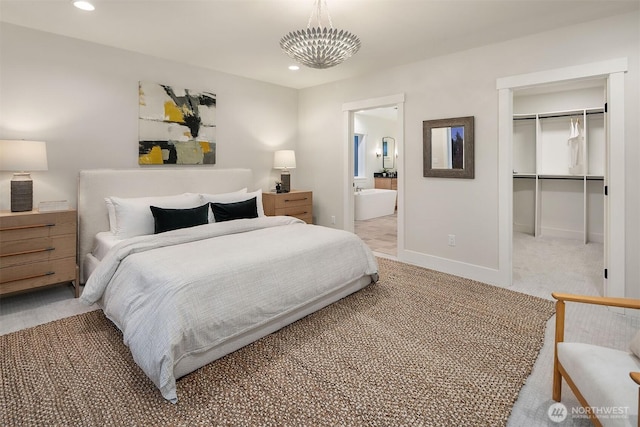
[448,147]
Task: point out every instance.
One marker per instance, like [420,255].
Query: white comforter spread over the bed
[183,292]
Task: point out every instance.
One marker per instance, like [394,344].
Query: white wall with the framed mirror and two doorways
[456,85]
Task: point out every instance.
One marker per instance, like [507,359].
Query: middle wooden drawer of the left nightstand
[32,250]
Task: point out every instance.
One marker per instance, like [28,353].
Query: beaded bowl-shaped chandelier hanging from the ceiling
[321,46]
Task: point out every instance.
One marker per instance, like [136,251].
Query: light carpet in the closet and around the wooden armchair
[543,265]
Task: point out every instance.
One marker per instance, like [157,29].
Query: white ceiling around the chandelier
[241,37]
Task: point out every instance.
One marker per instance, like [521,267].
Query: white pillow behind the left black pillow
[133,216]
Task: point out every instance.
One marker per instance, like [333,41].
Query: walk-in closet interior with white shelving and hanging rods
[559,151]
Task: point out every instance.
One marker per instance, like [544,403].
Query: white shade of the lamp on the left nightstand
[19,155]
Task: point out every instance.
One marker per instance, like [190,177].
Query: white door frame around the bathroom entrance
[349,109]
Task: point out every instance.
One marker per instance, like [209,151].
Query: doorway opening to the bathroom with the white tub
[373,202]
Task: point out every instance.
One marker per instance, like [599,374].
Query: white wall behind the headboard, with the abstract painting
[82,99]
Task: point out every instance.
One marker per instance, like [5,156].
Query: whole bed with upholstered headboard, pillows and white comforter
[188,296]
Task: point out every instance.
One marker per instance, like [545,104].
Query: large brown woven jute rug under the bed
[417,348]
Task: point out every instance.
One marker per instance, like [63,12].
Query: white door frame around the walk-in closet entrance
[613,71]
